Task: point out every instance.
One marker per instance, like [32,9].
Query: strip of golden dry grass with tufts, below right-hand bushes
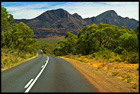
[113,66]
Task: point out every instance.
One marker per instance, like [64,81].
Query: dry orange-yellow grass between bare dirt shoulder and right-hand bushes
[124,71]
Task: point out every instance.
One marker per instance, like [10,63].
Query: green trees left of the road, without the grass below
[16,36]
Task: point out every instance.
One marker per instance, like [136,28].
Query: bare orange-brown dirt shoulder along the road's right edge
[101,78]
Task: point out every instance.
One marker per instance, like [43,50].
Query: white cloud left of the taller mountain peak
[27,11]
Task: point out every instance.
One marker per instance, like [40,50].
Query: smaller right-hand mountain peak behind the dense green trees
[112,18]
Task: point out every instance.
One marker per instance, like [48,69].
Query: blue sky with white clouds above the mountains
[29,10]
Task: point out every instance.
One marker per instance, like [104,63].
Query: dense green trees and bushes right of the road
[104,41]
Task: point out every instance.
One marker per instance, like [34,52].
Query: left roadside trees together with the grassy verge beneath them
[17,43]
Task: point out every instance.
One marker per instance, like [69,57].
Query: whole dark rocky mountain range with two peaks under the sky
[58,22]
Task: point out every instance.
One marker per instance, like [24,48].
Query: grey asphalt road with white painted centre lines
[45,74]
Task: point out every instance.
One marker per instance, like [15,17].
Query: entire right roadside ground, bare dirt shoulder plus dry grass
[108,79]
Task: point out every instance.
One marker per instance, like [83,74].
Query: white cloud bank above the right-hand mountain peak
[90,9]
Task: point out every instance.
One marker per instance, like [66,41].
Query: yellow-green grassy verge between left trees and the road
[10,58]
